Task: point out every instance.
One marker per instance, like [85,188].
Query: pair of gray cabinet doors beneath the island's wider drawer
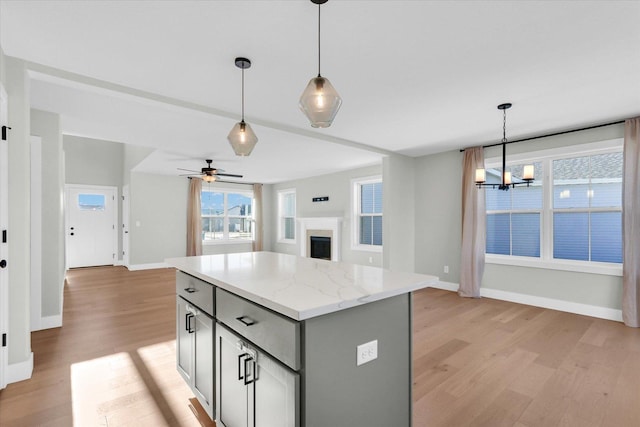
[254,390]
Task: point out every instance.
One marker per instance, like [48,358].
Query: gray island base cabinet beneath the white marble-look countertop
[273,371]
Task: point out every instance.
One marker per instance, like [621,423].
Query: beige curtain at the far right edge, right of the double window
[631,224]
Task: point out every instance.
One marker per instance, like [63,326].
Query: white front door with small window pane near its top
[91,225]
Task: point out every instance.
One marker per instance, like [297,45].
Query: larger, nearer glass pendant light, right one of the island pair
[320,101]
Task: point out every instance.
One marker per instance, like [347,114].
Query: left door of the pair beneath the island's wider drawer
[232,397]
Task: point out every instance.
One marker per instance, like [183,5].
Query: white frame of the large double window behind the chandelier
[546,260]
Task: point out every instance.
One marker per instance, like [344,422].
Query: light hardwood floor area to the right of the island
[493,363]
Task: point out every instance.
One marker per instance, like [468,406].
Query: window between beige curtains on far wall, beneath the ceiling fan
[227,216]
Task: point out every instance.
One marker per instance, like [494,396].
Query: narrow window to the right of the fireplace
[367,207]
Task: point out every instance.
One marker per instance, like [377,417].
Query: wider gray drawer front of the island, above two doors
[274,333]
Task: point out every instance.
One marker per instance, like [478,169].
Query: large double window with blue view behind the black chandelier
[569,218]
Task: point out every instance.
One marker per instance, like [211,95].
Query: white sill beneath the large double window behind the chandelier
[608,269]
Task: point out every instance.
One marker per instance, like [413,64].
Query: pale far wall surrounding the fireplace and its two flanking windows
[338,187]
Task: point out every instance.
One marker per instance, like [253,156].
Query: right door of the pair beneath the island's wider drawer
[276,391]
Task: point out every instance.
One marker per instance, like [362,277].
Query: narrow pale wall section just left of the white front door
[47,127]
